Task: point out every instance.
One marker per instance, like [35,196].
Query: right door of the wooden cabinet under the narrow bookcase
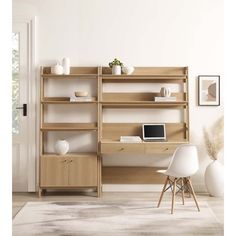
[83,171]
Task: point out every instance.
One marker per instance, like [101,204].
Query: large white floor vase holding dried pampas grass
[214,179]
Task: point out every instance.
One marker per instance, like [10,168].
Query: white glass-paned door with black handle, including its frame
[23,138]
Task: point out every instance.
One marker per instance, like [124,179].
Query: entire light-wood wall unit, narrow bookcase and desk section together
[84,170]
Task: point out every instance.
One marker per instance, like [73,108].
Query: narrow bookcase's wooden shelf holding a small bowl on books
[65,100]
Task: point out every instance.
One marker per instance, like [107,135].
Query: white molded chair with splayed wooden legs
[184,163]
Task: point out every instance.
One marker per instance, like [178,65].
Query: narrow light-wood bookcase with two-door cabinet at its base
[73,170]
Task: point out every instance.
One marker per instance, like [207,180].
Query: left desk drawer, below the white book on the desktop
[122,148]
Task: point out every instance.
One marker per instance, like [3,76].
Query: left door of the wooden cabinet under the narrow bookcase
[54,172]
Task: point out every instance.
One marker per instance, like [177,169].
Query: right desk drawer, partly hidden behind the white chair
[152,148]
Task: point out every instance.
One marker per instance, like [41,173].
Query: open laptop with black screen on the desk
[154,132]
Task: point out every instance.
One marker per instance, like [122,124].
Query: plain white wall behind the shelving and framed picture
[140,33]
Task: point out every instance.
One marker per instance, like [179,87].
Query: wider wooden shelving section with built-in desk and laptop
[177,133]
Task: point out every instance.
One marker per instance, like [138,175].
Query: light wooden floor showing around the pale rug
[19,199]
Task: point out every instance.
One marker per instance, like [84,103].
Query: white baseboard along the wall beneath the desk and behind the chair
[142,188]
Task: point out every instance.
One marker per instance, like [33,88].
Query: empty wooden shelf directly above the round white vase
[68,126]
